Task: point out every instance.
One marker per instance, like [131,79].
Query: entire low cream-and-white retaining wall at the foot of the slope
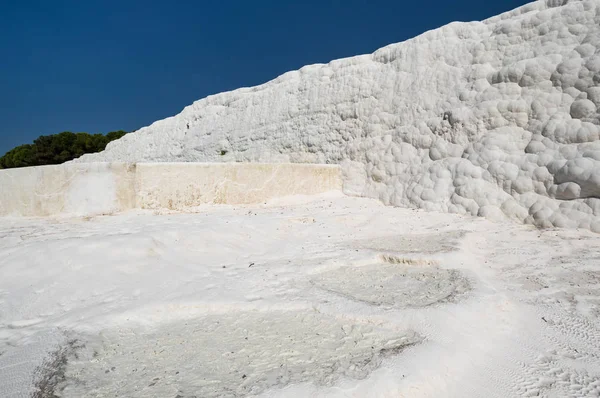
[105,188]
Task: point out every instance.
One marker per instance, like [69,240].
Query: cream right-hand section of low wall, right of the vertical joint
[179,186]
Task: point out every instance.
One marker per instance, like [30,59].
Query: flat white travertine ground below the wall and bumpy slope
[327,297]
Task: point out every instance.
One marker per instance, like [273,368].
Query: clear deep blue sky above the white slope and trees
[98,66]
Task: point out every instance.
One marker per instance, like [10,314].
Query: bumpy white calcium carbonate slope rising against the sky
[495,118]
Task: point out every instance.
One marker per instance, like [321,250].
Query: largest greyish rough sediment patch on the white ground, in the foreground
[231,354]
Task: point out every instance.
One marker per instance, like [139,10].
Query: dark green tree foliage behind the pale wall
[57,148]
